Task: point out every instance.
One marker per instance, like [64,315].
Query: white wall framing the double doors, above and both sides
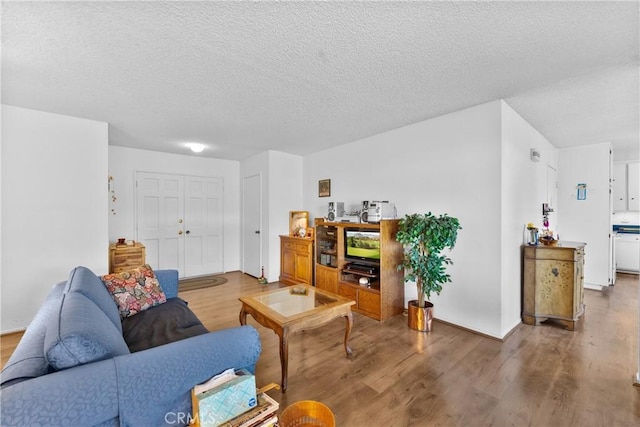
[125,162]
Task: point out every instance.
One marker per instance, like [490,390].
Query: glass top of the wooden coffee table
[293,300]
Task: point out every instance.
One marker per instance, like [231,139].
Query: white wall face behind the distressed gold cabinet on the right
[524,190]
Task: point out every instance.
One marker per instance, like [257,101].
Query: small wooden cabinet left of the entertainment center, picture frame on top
[296,260]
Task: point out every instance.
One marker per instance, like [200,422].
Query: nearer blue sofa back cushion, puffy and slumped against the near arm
[81,333]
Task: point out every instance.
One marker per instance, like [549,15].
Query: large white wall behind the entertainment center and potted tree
[450,164]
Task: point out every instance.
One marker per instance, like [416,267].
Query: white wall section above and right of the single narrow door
[281,192]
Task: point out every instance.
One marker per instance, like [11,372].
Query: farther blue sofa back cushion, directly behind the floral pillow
[86,282]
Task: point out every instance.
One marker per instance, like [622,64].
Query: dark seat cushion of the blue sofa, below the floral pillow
[160,325]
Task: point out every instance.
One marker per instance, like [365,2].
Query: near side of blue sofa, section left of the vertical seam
[84,395]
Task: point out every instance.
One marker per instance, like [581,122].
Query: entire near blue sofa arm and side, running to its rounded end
[150,387]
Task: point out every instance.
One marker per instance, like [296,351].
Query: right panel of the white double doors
[203,226]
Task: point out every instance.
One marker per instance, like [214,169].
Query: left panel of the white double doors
[160,213]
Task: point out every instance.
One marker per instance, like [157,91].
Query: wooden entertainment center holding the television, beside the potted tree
[383,296]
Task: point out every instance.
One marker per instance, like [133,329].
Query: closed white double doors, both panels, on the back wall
[179,219]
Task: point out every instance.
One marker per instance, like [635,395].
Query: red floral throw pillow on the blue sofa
[134,290]
